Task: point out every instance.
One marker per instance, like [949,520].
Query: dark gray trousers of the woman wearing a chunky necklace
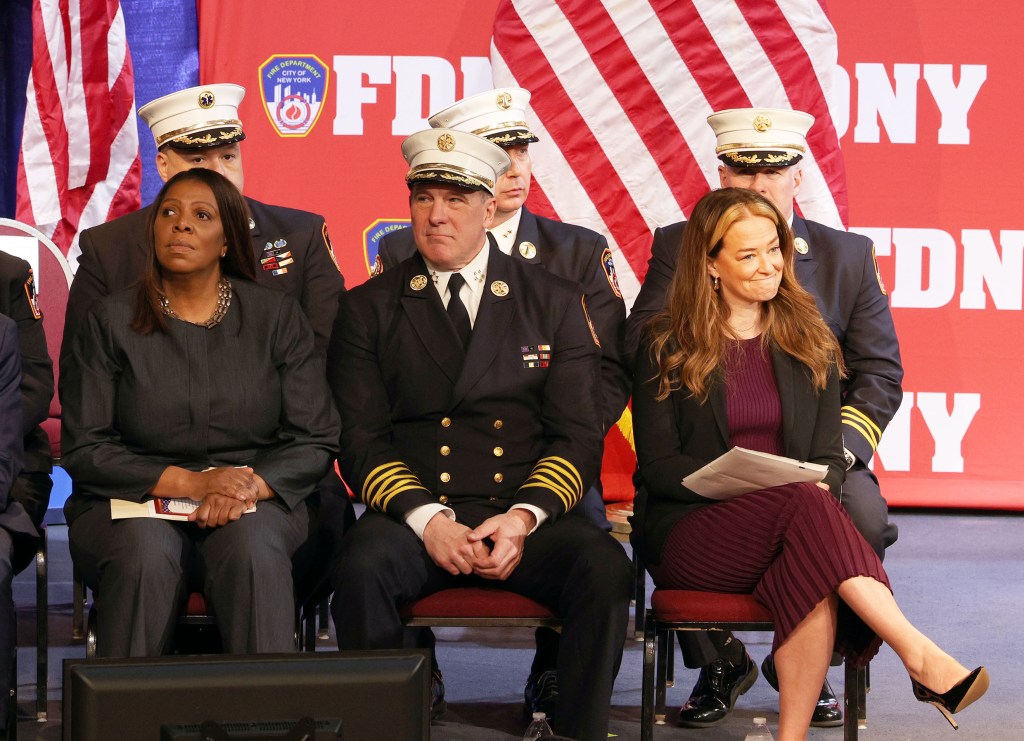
[144,570]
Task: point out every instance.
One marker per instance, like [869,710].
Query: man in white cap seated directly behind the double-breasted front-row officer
[572,252]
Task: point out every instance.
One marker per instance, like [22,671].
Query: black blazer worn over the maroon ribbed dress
[677,437]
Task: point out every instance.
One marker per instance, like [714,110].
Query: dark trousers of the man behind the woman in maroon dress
[864,503]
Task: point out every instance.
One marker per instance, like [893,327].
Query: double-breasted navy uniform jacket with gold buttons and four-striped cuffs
[513,419]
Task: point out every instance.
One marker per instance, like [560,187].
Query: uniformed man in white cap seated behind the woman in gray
[200,127]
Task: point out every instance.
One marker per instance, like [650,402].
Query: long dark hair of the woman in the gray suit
[238,263]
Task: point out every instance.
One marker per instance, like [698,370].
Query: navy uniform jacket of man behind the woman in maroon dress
[839,271]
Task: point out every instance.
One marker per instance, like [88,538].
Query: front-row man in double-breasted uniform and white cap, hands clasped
[468,386]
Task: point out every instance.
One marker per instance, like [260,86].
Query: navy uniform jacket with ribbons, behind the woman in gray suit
[114,258]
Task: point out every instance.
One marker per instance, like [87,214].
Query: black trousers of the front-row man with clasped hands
[571,565]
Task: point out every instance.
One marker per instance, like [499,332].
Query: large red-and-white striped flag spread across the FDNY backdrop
[622,91]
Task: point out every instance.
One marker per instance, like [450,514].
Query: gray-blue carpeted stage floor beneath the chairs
[960,578]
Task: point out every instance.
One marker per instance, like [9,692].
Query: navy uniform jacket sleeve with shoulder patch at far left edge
[37,369]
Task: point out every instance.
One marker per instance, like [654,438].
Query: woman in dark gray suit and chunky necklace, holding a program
[198,385]
